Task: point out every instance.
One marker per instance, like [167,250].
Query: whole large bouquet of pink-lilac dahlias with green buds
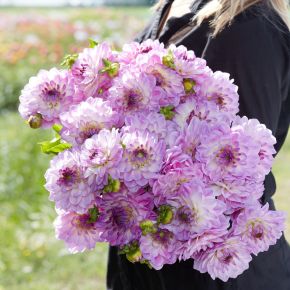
[151,156]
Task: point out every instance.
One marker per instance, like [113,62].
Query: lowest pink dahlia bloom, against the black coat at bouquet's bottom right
[225,260]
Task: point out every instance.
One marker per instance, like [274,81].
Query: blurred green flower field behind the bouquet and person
[30,256]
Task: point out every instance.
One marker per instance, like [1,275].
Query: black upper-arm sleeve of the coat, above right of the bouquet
[254,55]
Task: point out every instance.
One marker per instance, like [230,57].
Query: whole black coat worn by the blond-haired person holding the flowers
[255,50]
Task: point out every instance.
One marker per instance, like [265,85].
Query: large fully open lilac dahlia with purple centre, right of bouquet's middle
[227,154]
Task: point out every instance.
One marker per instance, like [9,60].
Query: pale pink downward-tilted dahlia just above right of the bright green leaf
[86,119]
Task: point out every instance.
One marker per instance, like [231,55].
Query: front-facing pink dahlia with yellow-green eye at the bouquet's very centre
[142,158]
